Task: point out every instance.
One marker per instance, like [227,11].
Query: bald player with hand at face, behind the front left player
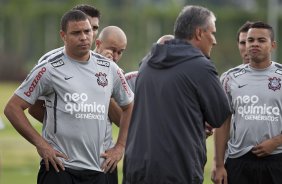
[110,43]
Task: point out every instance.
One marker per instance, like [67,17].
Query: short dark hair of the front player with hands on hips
[72,15]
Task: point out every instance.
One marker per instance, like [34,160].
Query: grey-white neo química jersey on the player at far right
[255,98]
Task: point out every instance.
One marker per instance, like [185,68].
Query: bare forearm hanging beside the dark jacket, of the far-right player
[221,136]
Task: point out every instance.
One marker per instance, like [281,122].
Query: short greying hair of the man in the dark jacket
[189,19]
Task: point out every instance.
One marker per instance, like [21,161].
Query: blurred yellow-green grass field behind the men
[19,159]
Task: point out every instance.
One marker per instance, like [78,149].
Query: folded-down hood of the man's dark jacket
[171,53]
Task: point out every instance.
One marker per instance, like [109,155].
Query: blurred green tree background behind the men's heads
[30,28]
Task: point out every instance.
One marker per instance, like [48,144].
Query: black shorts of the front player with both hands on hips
[71,176]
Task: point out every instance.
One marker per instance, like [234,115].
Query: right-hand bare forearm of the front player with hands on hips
[124,124]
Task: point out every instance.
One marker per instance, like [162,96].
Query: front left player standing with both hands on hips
[77,85]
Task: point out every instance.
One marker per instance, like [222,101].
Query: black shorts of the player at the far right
[250,169]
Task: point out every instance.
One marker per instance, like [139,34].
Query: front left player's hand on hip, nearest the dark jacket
[112,157]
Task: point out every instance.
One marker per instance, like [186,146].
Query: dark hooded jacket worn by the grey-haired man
[177,90]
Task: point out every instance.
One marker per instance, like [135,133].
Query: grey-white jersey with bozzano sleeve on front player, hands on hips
[77,99]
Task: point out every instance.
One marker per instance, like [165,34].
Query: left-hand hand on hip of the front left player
[50,155]
